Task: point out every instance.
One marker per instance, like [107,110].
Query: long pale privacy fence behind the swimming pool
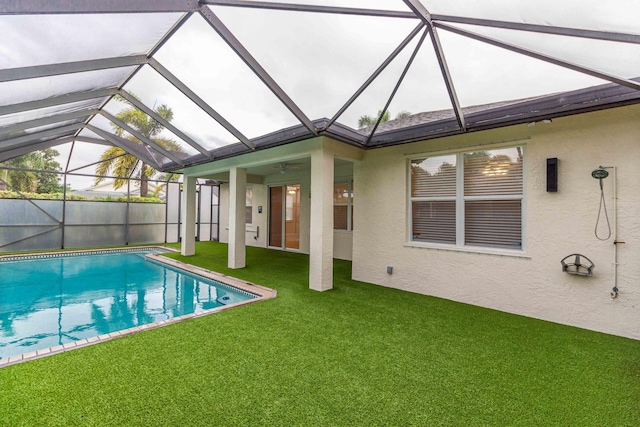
[27,223]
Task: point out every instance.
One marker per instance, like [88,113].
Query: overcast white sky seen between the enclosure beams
[319,60]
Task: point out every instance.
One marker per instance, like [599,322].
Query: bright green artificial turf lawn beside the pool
[357,355]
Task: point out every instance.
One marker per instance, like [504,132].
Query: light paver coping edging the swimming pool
[262,293]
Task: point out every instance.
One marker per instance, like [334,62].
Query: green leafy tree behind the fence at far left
[34,181]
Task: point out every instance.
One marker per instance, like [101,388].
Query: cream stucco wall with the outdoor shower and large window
[528,282]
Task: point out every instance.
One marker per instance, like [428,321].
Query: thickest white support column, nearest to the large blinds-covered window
[321,226]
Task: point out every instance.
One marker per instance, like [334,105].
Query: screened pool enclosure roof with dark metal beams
[244,75]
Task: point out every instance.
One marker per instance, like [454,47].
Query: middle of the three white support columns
[237,217]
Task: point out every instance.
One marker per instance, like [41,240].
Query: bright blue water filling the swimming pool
[56,300]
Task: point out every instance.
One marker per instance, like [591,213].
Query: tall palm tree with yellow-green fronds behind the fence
[127,165]
